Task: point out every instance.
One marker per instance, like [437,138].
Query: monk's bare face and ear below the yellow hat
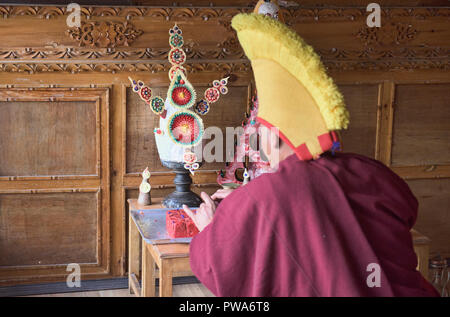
[273,147]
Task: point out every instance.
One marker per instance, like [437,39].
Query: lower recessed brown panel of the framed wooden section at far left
[48,228]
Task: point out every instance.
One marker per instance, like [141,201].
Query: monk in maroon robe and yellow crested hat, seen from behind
[324,223]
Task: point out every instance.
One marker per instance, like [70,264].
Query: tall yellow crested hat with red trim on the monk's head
[295,94]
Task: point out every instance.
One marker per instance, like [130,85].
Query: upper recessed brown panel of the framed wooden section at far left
[47,138]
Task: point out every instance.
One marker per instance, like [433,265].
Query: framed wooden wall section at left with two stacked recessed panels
[55,210]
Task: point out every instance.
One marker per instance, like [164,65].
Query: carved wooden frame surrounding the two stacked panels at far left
[98,184]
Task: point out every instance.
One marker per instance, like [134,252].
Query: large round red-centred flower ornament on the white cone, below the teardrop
[185,128]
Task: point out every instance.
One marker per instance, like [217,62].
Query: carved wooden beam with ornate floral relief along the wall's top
[116,39]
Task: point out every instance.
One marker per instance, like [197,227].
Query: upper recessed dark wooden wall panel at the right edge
[421,134]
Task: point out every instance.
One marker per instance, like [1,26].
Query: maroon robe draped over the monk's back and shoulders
[312,229]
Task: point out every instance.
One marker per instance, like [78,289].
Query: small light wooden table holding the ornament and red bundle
[172,260]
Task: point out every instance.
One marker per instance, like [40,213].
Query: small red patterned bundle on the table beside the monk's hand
[179,224]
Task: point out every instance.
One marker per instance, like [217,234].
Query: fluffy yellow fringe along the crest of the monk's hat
[287,48]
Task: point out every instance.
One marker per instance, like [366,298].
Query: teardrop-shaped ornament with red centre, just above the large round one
[181,93]
